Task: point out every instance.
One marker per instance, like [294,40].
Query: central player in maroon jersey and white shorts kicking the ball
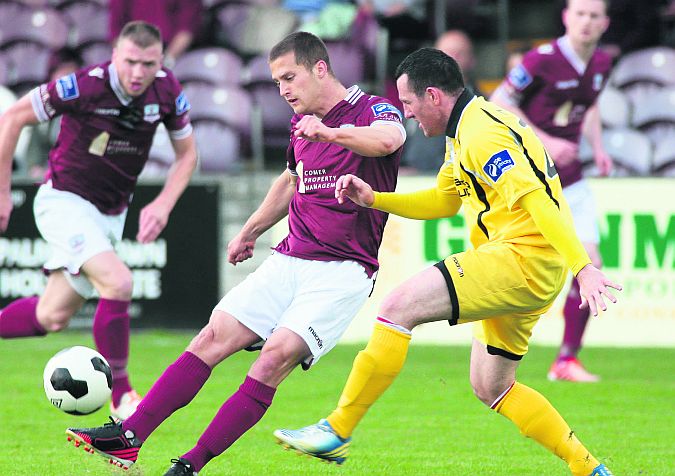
[298,303]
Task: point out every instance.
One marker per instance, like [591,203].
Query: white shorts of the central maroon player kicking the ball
[315,299]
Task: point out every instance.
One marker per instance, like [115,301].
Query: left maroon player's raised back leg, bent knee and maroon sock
[35,316]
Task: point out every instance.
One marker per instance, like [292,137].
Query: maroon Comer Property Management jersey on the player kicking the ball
[319,227]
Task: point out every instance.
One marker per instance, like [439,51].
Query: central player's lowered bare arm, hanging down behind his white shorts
[272,209]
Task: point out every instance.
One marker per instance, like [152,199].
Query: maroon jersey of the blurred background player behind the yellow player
[555,88]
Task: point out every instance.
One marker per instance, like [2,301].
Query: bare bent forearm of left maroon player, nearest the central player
[155,215]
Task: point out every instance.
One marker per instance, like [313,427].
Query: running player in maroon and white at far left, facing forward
[109,116]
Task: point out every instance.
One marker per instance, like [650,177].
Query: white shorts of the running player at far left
[75,231]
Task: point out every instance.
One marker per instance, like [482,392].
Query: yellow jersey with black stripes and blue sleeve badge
[492,159]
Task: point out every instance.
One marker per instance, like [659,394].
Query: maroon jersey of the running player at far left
[105,134]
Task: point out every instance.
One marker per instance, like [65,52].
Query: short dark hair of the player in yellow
[429,67]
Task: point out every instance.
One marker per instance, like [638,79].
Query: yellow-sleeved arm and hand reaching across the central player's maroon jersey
[436,202]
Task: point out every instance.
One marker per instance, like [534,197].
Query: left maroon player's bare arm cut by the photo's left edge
[19,115]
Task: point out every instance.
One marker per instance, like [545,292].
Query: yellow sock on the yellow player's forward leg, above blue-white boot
[374,369]
